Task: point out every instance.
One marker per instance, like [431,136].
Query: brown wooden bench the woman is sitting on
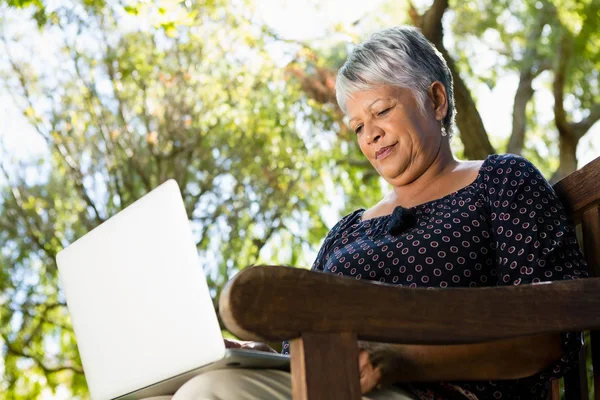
[271,303]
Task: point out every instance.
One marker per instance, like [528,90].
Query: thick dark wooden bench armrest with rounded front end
[276,303]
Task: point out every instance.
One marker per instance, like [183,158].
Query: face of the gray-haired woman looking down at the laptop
[399,140]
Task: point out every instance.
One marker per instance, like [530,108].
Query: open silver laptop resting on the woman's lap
[140,306]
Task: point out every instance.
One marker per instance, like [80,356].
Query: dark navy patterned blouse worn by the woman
[506,228]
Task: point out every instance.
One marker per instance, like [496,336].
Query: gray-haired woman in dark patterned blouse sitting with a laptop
[445,223]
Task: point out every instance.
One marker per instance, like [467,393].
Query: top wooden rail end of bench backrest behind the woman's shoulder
[580,190]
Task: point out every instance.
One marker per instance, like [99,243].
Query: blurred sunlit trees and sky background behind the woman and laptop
[102,100]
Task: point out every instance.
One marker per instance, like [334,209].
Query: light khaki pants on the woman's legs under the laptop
[254,384]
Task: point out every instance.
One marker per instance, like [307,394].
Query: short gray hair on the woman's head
[399,56]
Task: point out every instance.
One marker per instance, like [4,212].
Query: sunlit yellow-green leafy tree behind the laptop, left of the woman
[124,105]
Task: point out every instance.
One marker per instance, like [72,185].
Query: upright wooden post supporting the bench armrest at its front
[325,366]
